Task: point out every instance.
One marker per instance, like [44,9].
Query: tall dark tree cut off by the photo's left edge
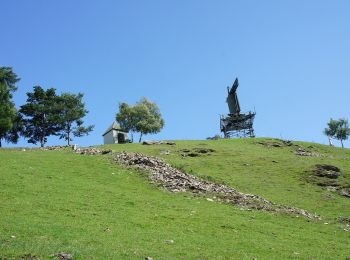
[8,112]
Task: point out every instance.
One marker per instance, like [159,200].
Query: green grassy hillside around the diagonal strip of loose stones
[58,201]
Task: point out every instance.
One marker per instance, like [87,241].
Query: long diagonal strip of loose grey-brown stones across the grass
[175,180]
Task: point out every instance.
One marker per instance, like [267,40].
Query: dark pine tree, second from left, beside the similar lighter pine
[41,115]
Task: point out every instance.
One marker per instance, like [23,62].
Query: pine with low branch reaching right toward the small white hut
[72,111]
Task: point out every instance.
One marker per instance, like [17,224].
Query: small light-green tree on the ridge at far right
[338,129]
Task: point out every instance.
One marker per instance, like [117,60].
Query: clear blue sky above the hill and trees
[292,59]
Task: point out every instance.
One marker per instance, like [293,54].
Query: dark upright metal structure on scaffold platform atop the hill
[236,124]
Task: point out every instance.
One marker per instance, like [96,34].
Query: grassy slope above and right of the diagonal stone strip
[257,166]
